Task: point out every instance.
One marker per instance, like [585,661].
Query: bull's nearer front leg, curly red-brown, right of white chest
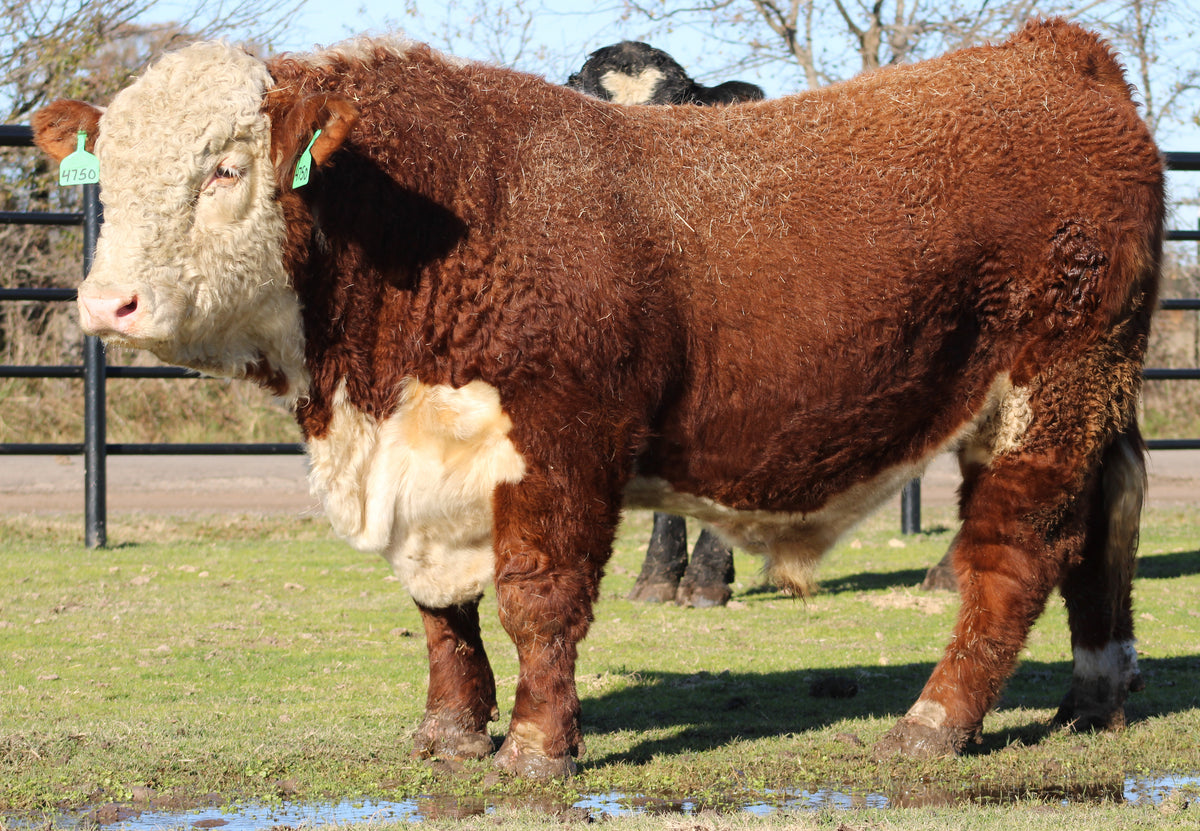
[549,567]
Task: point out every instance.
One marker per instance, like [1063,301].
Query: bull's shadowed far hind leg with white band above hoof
[1097,593]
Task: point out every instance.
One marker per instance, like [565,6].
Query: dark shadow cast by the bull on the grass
[709,710]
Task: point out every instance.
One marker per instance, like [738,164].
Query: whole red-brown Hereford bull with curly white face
[502,309]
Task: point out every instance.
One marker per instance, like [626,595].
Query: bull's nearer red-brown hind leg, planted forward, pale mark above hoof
[1027,511]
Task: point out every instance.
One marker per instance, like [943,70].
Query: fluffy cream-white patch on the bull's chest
[417,487]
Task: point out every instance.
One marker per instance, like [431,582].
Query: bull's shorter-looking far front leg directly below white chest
[463,692]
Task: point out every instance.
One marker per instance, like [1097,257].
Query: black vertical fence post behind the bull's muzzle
[95,438]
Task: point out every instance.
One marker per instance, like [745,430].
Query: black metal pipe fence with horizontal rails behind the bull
[95,449]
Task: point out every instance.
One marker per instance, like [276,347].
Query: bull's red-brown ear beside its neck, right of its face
[295,124]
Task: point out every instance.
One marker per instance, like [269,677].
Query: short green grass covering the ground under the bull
[259,659]
